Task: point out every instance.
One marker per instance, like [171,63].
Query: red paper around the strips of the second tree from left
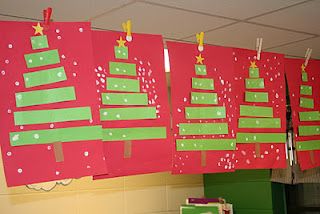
[146,51]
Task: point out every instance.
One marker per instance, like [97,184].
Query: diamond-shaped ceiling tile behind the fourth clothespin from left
[244,35]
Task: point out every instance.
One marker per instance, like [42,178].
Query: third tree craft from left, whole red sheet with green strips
[203,108]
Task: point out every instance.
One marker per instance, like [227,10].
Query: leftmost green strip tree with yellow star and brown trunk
[47,96]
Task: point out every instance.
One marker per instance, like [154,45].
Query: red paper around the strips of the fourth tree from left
[271,67]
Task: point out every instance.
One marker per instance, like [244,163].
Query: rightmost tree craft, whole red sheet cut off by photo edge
[304,90]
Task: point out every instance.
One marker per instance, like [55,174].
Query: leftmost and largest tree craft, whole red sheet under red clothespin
[49,129]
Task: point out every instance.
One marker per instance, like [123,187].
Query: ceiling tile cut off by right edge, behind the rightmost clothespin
[299,48]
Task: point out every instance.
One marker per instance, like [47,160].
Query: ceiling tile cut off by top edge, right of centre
[230,8]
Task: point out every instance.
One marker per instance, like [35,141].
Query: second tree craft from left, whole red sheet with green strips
[134,109]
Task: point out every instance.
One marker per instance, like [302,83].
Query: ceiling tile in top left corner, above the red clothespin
[63,10]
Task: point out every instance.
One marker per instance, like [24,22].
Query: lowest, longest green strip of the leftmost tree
[56,135]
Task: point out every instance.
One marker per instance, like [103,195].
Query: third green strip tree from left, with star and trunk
[209,109]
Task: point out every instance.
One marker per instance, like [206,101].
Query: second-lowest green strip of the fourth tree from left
[259,123]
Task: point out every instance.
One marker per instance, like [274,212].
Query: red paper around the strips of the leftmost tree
[36,163]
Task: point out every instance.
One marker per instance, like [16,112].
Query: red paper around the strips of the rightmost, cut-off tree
[293,75]
